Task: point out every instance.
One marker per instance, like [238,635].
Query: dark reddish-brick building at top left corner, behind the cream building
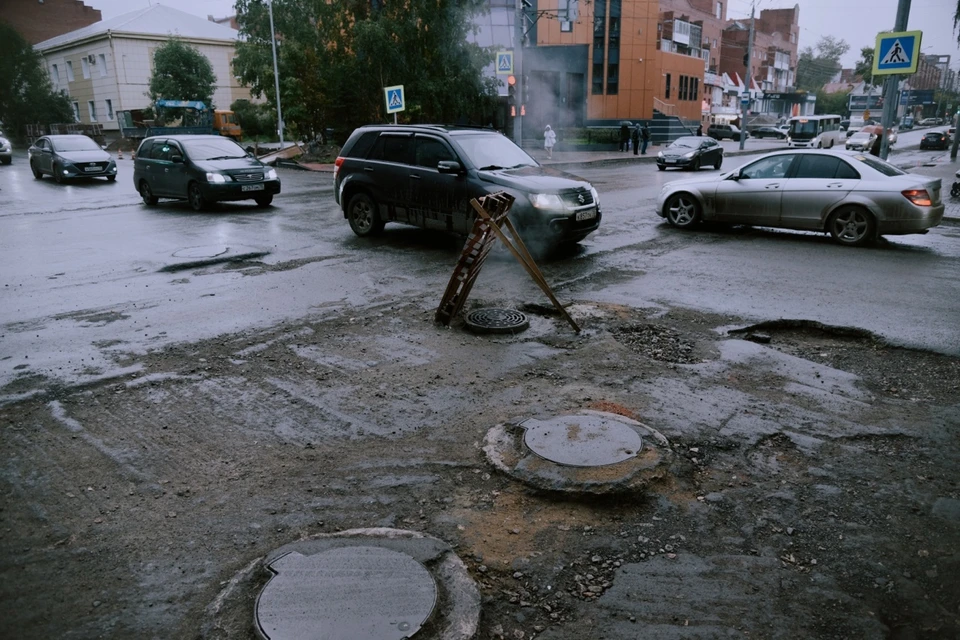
[39,20]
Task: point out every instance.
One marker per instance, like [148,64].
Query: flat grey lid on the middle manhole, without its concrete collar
[582,441]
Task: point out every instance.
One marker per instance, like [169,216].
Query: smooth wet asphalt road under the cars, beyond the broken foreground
[89,273]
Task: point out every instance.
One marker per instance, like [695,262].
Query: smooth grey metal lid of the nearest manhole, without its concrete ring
[358,592]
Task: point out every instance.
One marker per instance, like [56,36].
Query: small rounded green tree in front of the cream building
[181,72]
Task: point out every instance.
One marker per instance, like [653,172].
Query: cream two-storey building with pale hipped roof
[106,66]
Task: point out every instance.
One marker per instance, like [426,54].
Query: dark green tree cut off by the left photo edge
[27,97]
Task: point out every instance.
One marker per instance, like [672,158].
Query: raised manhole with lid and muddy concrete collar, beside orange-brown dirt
[589,452]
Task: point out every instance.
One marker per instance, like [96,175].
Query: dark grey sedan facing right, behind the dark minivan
[70,156]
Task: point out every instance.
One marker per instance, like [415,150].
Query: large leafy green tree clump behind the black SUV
[335,58]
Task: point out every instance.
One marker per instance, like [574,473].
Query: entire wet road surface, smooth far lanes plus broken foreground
[165,434]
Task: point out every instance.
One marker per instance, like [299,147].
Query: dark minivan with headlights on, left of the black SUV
[201,169]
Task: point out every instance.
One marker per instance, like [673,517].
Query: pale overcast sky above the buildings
[856,21]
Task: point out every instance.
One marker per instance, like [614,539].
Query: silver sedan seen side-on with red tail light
[853,197]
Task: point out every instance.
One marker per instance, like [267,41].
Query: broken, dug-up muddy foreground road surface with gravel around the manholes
[814,489]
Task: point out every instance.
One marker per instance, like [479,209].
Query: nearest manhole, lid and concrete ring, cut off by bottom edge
[381,584]
